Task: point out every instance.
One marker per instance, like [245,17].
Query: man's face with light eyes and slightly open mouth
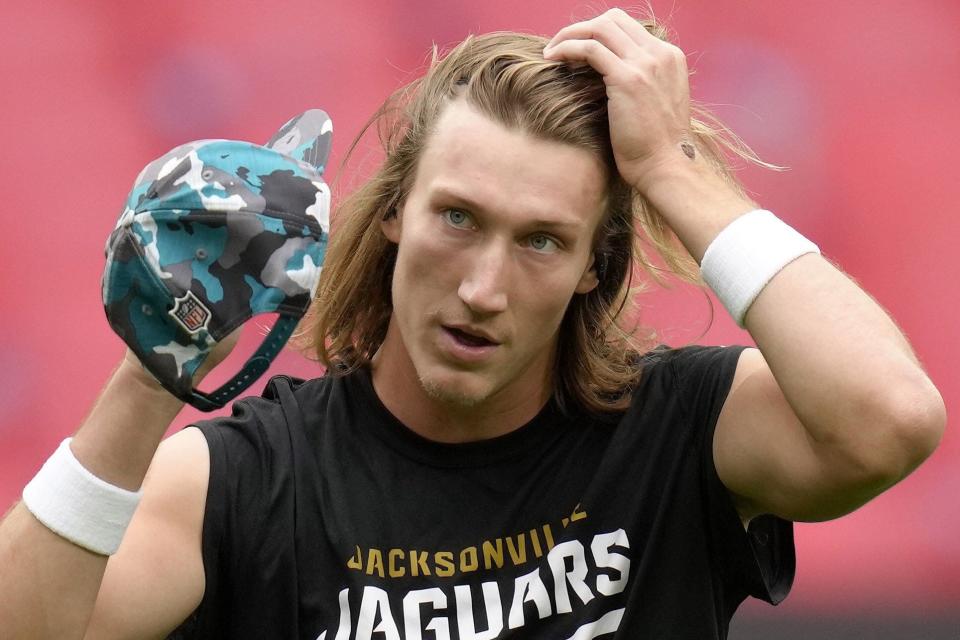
[494,239]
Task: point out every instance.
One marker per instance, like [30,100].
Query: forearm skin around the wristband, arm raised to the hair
[846,370]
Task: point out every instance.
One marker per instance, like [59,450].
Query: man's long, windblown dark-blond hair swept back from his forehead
[505,77]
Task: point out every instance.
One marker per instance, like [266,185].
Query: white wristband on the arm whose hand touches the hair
[746,255]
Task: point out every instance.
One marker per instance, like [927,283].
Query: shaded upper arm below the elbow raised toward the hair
[768,460]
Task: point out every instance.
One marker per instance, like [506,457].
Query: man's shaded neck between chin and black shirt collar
[397,385]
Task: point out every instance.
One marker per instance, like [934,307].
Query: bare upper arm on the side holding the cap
[156,578]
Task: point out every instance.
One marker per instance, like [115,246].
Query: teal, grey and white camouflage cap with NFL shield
[213,233]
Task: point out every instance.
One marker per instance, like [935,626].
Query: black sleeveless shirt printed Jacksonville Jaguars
[328,519]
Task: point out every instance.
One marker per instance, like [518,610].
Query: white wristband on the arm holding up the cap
[79,506]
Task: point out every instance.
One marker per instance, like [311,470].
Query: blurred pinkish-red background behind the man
[858,99]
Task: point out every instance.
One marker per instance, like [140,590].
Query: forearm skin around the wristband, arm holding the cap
[49,584]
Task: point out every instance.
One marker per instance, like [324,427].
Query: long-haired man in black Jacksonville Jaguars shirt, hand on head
[492,458]
